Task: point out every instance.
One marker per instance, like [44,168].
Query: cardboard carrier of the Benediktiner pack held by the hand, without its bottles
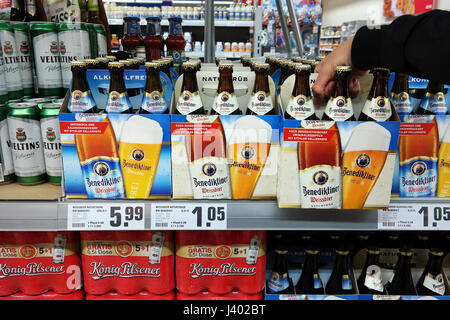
[360,158]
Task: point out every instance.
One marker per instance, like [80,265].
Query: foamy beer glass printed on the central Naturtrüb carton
[248,149]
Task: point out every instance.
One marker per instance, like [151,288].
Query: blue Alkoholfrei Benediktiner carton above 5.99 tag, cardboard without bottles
[134,148]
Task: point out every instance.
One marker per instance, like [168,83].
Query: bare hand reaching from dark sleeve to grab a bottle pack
[326,69]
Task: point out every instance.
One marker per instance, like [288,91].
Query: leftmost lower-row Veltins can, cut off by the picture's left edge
[5,150]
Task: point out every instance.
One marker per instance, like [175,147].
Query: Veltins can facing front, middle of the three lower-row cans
[26,143]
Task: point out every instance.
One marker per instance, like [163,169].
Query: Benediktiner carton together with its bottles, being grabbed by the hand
[338,155]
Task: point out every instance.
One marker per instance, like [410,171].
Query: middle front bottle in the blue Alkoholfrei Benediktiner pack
[118,101]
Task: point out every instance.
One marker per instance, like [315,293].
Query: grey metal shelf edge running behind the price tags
[242,215]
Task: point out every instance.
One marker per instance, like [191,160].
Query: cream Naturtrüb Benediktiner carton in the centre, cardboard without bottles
[225,154]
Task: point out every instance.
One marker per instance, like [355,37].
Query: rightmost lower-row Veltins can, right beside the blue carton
[51,139]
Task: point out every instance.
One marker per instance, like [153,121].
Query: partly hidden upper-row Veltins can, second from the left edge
[24,52]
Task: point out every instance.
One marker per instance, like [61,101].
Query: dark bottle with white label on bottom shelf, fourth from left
[370,281]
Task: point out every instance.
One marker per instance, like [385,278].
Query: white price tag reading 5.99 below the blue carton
[106,216]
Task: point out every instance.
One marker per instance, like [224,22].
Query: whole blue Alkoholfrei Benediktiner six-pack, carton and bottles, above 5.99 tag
[115,130]
